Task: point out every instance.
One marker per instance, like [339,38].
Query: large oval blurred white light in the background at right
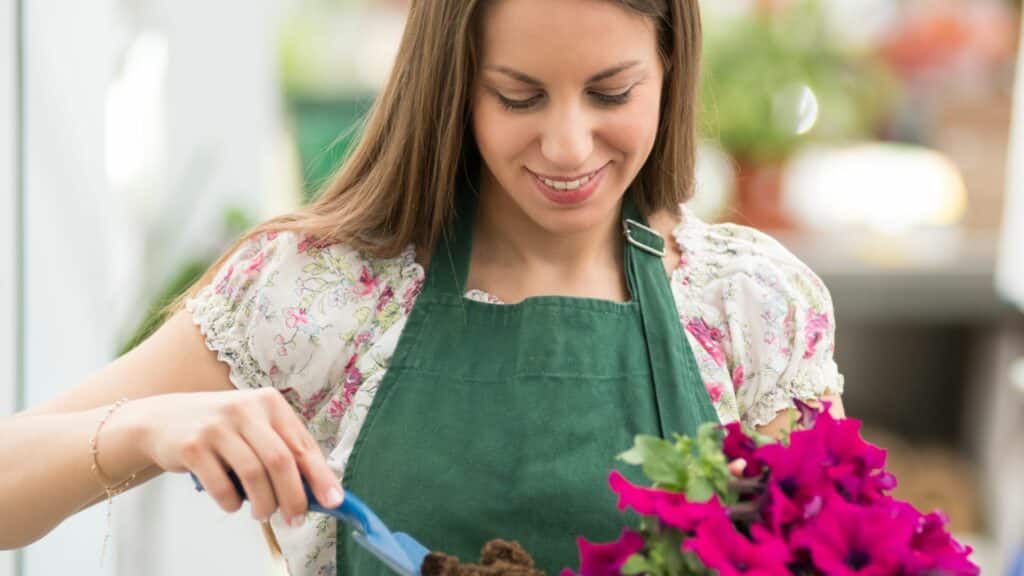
[891,189]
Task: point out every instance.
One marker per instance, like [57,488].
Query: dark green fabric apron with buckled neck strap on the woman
[504,421]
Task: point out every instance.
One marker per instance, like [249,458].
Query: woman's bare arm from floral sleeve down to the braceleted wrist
[46,451]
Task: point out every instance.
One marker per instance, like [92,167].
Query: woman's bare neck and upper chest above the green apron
[510,246]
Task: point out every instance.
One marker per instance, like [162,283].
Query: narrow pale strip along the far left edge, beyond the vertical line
[9,228]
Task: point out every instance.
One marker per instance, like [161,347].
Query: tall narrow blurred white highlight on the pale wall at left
[136,112]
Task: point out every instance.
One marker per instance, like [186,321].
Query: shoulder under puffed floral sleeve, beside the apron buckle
[761,319]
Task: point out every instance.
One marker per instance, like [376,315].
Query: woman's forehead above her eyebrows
[559,36]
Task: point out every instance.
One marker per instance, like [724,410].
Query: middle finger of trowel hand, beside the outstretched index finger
[281,466]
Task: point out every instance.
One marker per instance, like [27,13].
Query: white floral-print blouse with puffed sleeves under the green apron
[321,325]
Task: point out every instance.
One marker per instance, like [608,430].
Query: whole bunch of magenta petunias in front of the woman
[818,505]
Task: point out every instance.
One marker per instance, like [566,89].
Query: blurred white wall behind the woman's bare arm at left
[84,269]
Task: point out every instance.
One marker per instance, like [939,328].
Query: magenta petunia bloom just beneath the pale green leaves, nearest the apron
[671,508]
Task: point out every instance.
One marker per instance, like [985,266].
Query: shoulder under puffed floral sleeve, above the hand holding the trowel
[284,311]
